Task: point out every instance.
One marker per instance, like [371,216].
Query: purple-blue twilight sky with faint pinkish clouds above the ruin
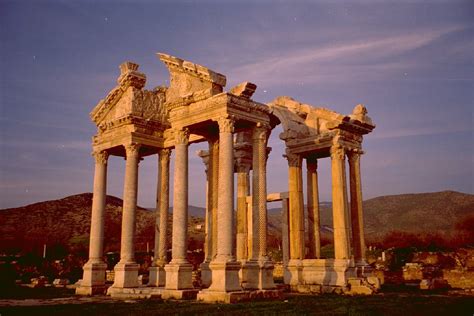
[410,62]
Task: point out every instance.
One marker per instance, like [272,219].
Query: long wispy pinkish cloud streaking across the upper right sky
[320,63]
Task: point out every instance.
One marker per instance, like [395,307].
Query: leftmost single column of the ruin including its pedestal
[93,280]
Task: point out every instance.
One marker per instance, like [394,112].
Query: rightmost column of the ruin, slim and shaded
[357,216]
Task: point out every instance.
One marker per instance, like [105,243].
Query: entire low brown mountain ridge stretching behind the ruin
[67,221]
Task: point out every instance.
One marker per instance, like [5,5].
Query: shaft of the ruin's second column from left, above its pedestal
[130,191]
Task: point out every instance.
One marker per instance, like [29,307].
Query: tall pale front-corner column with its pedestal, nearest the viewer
[224,267]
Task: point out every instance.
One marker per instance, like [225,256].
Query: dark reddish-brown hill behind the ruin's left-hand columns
[67,221]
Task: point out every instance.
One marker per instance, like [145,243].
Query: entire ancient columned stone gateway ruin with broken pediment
[136,123]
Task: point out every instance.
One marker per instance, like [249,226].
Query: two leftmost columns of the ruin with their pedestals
[126,271]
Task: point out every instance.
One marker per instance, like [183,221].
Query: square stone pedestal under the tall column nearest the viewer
[225,276]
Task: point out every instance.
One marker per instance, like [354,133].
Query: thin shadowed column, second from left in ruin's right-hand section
[313,208]
